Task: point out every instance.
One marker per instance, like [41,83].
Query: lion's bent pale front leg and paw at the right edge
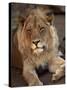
[57,67]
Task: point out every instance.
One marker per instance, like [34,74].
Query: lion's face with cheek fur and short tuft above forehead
[37,32]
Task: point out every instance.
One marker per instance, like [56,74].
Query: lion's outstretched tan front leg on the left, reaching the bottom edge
[31,76]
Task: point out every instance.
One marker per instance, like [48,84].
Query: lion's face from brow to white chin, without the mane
[37,31]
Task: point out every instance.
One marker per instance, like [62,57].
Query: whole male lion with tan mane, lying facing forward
[38,45]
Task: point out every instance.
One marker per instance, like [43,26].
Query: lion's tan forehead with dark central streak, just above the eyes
[36,21]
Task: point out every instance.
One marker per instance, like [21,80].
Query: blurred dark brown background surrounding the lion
[19,9]
